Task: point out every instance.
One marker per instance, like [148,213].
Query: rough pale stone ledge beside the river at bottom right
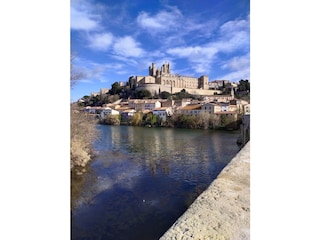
[223,210]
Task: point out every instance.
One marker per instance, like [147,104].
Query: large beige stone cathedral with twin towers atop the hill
[162,79]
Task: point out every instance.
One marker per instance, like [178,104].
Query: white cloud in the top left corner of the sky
[83,20]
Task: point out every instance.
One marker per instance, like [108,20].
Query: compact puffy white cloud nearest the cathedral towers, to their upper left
[128,47]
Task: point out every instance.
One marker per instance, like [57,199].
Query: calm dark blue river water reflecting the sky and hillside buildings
[143,179]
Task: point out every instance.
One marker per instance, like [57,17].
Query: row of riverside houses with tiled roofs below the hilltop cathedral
[217,105]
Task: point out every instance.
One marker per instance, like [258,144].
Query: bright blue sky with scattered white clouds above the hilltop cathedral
[115,39]
